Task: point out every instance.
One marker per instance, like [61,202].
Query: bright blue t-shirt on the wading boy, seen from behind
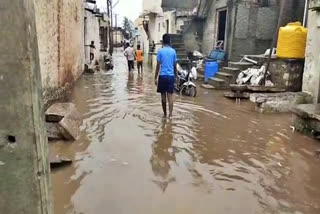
[167,57]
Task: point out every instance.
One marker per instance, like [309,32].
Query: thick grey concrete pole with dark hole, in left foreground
[24,166]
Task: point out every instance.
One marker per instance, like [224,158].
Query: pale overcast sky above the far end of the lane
[130,8]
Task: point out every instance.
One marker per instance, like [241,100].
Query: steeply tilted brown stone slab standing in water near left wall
[69,126]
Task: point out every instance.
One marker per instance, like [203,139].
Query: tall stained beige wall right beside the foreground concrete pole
[61,45]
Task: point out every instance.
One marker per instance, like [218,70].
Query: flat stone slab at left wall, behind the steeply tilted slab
[58,111]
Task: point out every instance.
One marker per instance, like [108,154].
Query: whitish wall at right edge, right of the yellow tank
[311,79]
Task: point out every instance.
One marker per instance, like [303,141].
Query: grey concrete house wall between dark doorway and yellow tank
[253,30]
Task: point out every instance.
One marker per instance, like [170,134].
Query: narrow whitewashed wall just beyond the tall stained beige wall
[92,30]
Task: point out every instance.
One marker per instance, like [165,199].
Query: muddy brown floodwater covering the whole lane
[213,157]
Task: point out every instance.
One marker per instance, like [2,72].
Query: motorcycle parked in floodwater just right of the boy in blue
[185,82]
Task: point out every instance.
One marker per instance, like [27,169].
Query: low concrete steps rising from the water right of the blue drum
[228,75]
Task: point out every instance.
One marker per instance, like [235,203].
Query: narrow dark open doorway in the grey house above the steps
[221,27]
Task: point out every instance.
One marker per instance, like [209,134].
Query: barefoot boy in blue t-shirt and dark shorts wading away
[165,74]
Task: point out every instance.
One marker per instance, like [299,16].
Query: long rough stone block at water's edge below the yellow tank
[279,102]
